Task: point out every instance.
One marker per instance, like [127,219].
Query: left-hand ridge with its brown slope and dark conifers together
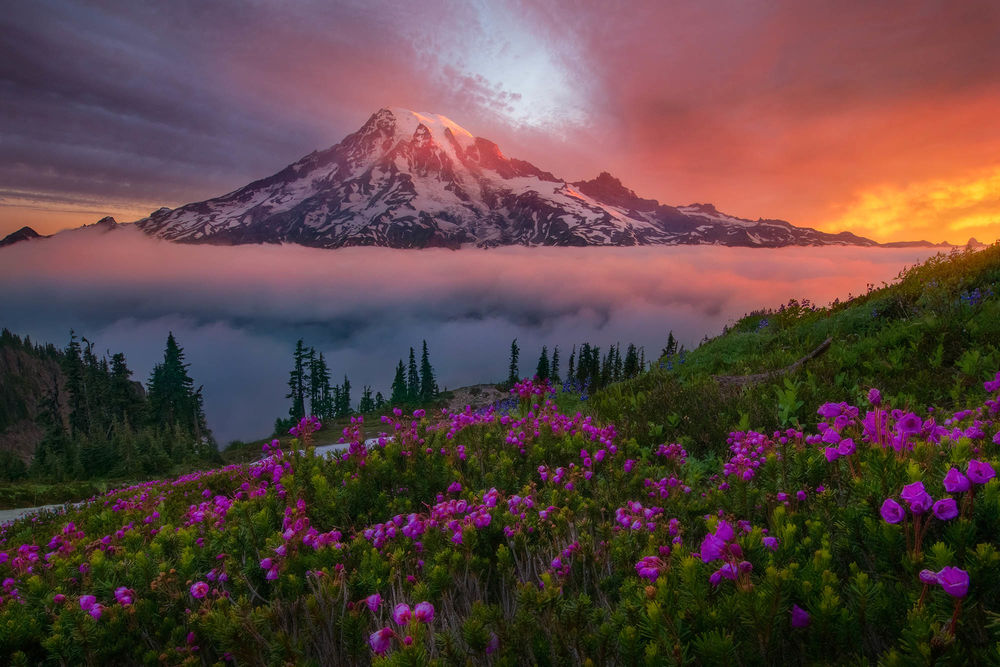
[69,414]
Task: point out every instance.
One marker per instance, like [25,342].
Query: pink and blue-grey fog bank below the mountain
[237,311]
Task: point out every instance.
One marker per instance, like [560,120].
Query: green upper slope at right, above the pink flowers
[930,339]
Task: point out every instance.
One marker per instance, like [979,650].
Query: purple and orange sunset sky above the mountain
[874,117]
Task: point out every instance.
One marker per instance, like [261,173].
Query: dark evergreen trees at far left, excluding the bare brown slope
[99,422]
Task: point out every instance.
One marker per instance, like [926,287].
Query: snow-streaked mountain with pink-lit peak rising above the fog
[415,180]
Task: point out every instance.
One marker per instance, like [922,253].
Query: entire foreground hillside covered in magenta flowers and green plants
[807,519]
